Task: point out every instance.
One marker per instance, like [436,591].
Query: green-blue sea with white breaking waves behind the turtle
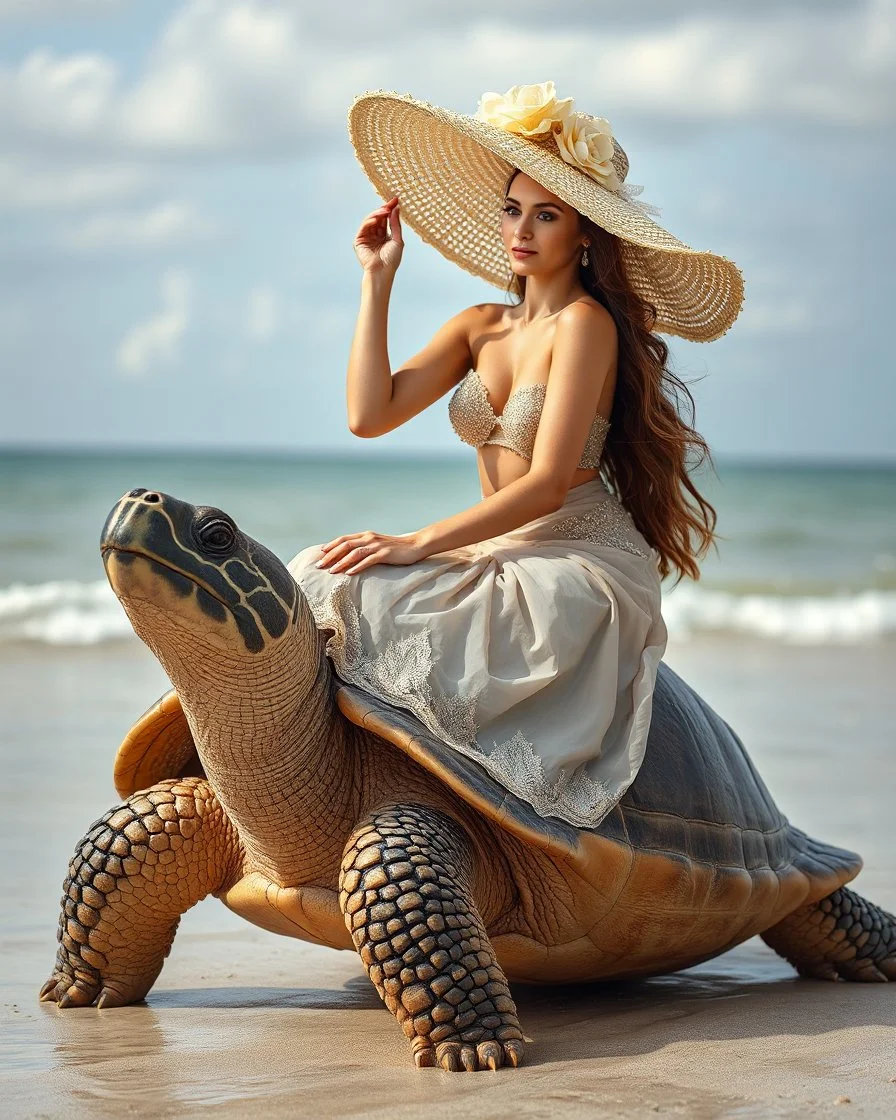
[807,554]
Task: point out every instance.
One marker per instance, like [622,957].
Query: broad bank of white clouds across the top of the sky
[236,77]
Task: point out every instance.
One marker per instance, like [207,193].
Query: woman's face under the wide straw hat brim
[537,220]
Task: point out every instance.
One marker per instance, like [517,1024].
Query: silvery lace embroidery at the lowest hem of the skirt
[577,798]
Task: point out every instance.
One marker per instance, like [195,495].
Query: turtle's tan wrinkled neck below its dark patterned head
[276,751]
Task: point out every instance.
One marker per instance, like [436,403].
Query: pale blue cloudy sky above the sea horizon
[179,200]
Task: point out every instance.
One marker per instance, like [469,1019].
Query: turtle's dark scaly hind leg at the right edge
[842,937]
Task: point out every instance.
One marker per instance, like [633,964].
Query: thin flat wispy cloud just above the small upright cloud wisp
[172,223]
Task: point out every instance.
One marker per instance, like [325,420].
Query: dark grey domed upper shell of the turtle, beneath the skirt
[697,797]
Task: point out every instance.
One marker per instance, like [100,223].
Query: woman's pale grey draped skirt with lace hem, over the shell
[534,652]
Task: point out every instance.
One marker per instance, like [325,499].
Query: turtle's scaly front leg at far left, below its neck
[137,871]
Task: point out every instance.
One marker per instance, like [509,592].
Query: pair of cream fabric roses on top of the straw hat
[536,111]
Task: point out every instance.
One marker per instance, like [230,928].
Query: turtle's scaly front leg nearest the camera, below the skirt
[405,891]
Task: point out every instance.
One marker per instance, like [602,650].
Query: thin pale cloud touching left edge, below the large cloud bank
[26,185]
